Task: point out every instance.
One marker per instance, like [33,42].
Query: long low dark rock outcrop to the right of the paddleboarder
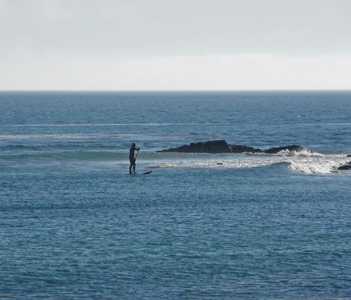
[223,147]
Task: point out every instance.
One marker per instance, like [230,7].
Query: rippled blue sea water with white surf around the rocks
[75,225]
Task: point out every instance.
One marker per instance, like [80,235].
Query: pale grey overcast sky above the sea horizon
[175,45]
